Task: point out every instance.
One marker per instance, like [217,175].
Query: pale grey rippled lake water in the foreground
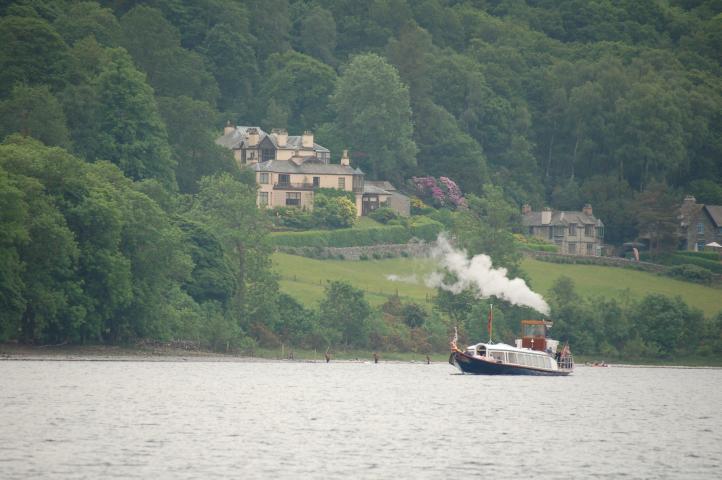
[178,420]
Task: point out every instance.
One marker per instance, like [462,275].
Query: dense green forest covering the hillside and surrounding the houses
[121,219]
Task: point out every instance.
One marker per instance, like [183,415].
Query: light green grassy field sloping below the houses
[304,278]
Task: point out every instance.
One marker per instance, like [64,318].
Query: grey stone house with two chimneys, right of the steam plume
[575,233]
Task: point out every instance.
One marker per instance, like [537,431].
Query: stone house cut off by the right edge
[699,224]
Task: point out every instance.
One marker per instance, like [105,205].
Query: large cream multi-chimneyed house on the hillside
[290,168]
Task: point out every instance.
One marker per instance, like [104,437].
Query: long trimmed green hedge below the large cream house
[421,228]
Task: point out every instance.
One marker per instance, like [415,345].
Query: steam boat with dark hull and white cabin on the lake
[533,354]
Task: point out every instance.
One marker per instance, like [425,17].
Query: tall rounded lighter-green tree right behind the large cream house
[374,117]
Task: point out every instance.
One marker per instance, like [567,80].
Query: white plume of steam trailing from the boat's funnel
[478,273]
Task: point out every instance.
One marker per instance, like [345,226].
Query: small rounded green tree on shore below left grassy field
[345,308]
